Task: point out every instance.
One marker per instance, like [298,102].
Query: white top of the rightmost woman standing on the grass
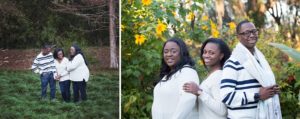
[78,69]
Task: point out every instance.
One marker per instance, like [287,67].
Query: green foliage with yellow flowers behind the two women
[146,25]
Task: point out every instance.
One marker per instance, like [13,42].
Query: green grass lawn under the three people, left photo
[20,98]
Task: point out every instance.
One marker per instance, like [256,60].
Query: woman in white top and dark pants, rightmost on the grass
[79,73]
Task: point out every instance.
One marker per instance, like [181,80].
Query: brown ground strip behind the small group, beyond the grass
[18,59]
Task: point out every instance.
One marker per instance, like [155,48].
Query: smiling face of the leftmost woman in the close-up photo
[171,54]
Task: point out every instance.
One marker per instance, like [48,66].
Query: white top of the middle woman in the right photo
[210,101]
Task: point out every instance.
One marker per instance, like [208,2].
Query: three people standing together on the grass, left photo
[56,67]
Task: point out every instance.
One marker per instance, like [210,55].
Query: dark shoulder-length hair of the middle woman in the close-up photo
[222,46]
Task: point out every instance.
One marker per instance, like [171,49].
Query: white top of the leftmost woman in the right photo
[170,101]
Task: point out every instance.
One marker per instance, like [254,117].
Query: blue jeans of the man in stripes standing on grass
[45,79]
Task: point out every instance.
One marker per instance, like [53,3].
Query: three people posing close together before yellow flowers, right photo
[239,85]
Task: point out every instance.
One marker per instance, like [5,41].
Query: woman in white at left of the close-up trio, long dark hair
[170,101]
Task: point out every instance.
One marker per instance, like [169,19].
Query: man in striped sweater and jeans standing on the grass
[44,65]
